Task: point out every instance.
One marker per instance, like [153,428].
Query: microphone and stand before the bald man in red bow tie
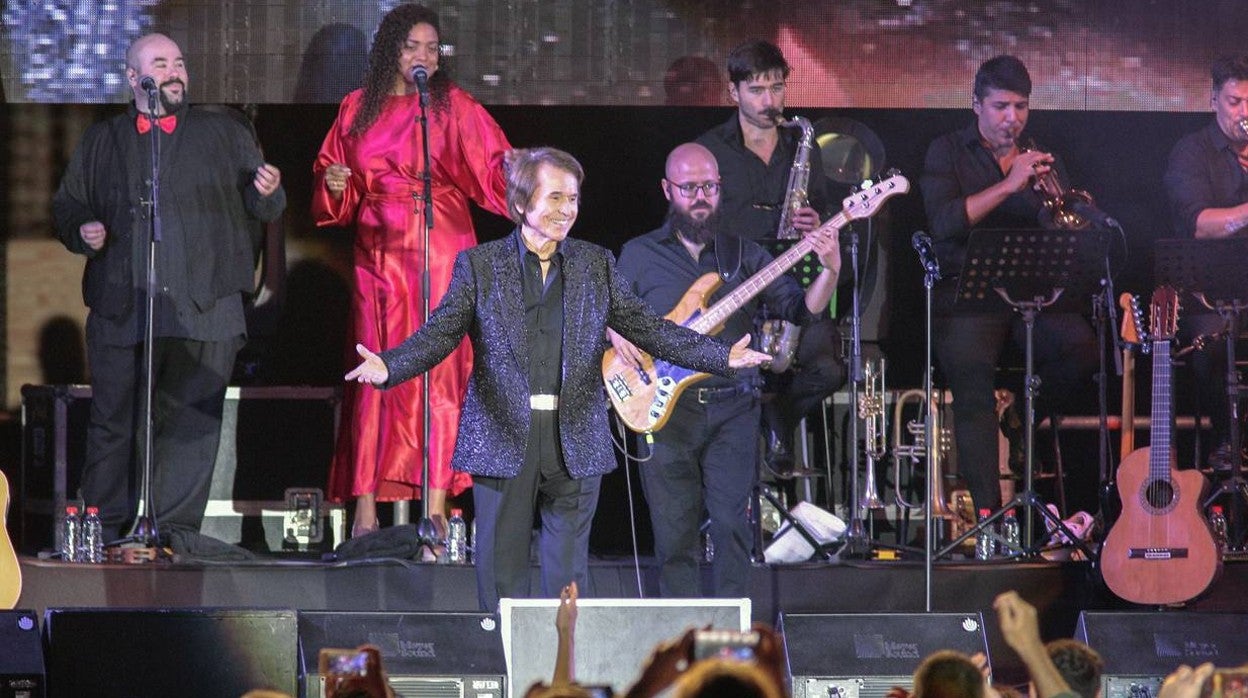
[147,531]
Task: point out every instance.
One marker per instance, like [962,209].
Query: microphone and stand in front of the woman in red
[426,531]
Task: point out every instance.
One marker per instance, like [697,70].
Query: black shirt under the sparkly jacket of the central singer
[544,319]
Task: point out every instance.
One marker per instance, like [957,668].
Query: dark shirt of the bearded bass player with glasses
[661,270]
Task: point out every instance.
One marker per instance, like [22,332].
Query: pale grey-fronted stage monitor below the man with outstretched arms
[615,636]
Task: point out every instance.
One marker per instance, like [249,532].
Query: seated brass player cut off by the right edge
[1207,185]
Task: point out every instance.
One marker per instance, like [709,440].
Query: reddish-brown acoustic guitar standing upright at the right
[1161,550]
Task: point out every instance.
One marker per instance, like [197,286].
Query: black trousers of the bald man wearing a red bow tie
[190,381]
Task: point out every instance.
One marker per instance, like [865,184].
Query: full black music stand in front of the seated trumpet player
[1029,270]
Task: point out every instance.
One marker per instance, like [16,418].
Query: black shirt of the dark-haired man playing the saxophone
[754,192]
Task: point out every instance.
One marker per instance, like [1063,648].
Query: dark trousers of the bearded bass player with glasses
[704,459]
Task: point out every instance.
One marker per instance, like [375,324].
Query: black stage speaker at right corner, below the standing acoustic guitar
[1141,649]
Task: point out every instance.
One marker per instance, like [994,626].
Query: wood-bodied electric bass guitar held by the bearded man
[643,395]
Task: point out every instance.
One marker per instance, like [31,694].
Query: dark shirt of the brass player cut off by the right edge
[1204,173]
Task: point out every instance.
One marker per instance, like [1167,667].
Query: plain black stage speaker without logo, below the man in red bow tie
[185,652]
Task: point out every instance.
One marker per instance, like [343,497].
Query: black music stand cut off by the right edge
[1212,272]
